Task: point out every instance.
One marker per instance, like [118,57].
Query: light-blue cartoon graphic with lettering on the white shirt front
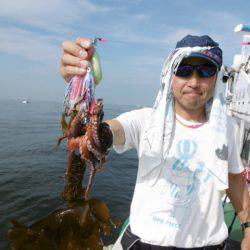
[183,178]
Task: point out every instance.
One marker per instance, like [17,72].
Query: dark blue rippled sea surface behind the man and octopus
[31,169]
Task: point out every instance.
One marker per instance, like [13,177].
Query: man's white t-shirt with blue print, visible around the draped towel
[183,208]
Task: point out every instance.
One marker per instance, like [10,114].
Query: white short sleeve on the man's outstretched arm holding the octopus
[133,123]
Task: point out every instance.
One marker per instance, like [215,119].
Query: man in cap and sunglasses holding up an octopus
[187,149]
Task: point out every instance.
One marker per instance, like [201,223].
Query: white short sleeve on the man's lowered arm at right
[234,160]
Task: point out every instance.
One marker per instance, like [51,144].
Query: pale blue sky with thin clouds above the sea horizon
[140,35]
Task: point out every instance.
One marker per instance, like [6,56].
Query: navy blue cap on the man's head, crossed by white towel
[213,55]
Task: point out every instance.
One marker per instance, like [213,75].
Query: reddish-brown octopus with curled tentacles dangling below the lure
[87,143]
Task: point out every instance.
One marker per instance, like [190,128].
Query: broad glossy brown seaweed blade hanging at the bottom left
[76,227]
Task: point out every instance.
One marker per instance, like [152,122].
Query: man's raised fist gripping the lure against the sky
[76,57]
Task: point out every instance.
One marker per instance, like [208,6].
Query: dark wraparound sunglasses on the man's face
[202,70]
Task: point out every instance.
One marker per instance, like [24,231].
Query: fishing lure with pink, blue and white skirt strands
[80,92]
